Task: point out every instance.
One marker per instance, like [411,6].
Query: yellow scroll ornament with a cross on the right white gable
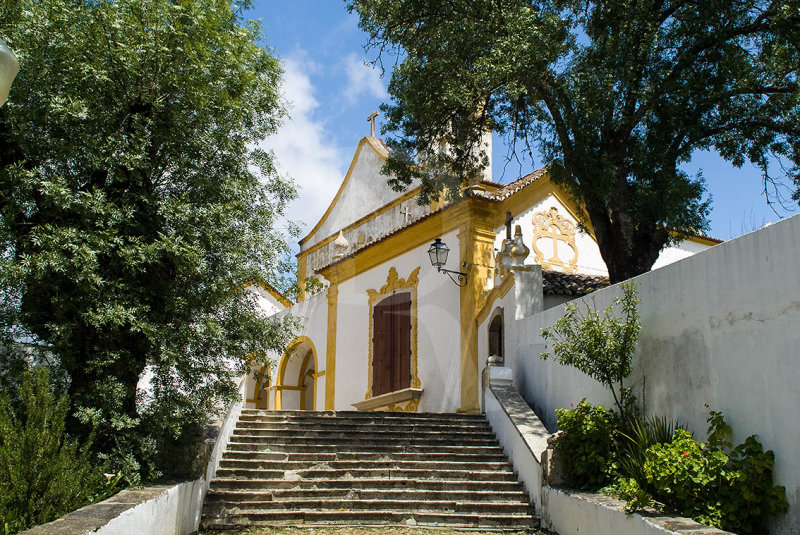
[551,225]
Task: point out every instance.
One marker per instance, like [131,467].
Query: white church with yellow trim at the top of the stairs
[385,329]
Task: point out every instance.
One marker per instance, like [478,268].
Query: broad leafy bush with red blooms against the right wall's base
[729,490]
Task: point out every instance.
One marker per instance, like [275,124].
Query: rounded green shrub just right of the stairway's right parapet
[587,444]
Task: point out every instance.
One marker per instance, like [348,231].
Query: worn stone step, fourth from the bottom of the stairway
[220,483]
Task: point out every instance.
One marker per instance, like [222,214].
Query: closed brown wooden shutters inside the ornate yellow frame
[391,344]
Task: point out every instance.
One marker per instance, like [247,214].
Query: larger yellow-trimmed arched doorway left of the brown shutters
[296,383]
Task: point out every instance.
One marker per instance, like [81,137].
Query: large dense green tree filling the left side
[134,201]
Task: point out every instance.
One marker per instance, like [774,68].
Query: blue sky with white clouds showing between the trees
[330,92]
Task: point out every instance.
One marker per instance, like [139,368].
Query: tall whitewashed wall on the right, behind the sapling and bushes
[720,328]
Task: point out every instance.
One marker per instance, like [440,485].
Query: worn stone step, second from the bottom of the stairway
[418,505]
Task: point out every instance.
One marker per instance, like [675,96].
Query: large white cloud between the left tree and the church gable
[303,148]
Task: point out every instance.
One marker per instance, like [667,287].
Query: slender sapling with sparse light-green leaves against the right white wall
[600,344]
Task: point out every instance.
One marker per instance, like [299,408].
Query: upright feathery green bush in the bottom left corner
[43,473]
